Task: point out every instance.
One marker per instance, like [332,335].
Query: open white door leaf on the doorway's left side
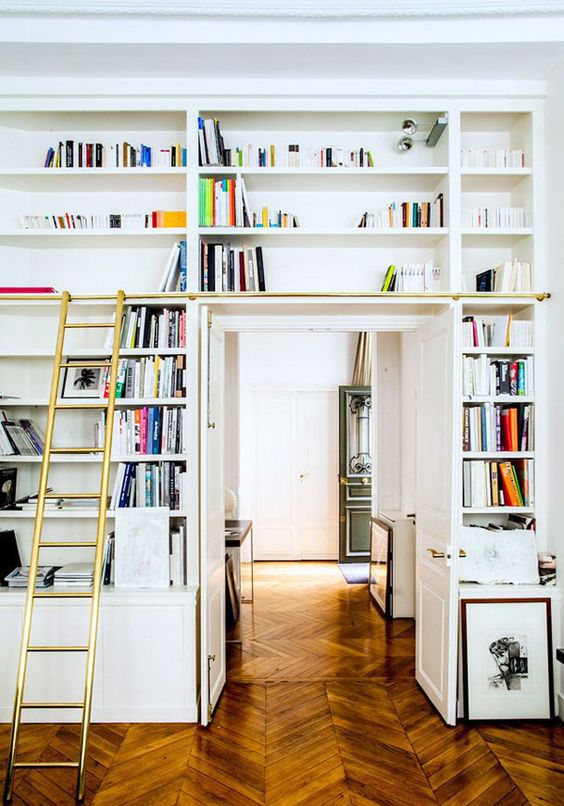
[212,523]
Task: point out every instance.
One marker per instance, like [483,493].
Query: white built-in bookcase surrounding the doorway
[327,253]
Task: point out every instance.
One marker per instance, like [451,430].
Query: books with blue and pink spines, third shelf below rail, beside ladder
[147,430]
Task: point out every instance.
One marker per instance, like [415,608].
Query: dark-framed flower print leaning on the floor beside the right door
[507,659]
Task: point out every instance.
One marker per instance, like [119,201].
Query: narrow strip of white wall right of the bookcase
[555,316]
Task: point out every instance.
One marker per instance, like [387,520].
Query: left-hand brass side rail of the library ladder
[34,557]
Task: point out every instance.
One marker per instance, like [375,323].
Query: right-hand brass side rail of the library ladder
[99,552]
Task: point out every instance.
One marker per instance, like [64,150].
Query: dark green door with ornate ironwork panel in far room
[355,473]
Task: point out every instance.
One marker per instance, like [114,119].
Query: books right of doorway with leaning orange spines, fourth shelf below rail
[498,484]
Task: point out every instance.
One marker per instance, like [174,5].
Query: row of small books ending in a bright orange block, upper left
[156,219]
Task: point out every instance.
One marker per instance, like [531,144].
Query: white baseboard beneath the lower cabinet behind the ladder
[183,713]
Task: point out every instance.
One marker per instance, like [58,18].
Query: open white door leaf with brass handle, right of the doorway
[436,583]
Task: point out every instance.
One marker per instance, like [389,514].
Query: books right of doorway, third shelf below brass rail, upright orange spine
[493,427]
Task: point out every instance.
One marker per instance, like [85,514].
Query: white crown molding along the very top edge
[285,8]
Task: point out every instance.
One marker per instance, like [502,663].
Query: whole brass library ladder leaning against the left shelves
[108,405]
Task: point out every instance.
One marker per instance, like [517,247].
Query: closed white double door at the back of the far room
[294,458]
